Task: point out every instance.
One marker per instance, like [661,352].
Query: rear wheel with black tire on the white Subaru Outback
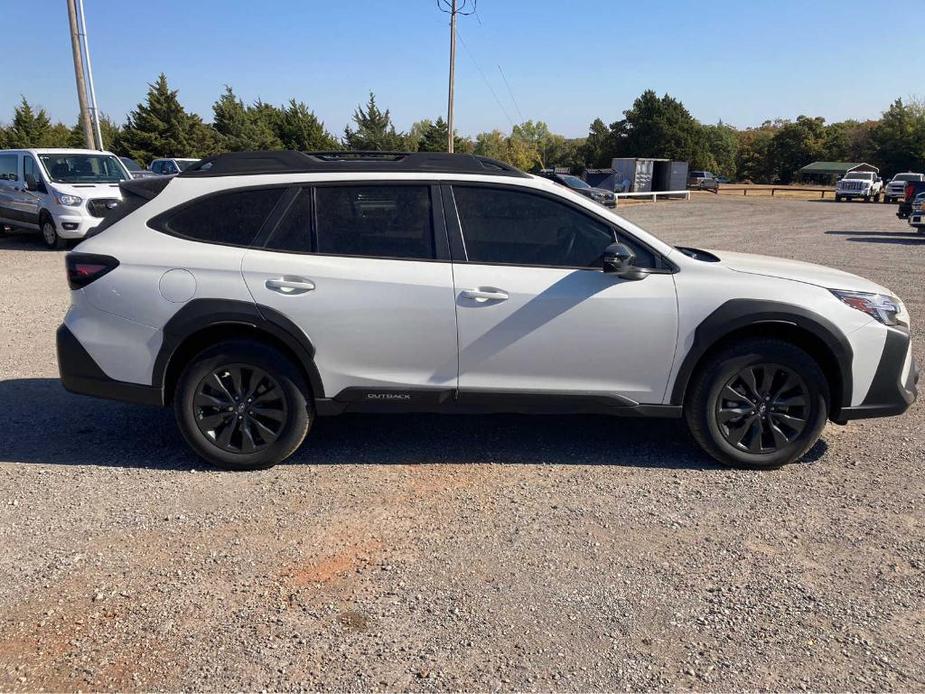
[262,439]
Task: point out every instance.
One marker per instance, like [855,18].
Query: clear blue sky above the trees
[567,61]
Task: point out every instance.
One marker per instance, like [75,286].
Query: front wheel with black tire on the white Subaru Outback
[706,409]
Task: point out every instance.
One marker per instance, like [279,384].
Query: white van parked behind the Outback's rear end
[63,193]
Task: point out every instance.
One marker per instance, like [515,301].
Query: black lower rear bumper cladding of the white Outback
[81,374]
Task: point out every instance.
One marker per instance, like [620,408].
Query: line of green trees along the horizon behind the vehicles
[653,127]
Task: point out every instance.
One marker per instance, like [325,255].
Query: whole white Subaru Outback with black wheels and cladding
[256,291]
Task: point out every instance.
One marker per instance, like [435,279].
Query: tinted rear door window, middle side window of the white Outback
[384,221]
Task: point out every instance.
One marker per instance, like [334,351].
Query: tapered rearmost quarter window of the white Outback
[233,218]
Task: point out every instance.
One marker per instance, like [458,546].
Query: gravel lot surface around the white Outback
[428,552]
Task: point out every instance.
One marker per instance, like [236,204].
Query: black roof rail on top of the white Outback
[290,161]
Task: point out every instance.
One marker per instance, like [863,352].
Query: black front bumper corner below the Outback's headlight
[895,384]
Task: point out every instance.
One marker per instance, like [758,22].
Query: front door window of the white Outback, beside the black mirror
[518,228]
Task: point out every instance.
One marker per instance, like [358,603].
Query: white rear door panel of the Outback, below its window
[375,323]
